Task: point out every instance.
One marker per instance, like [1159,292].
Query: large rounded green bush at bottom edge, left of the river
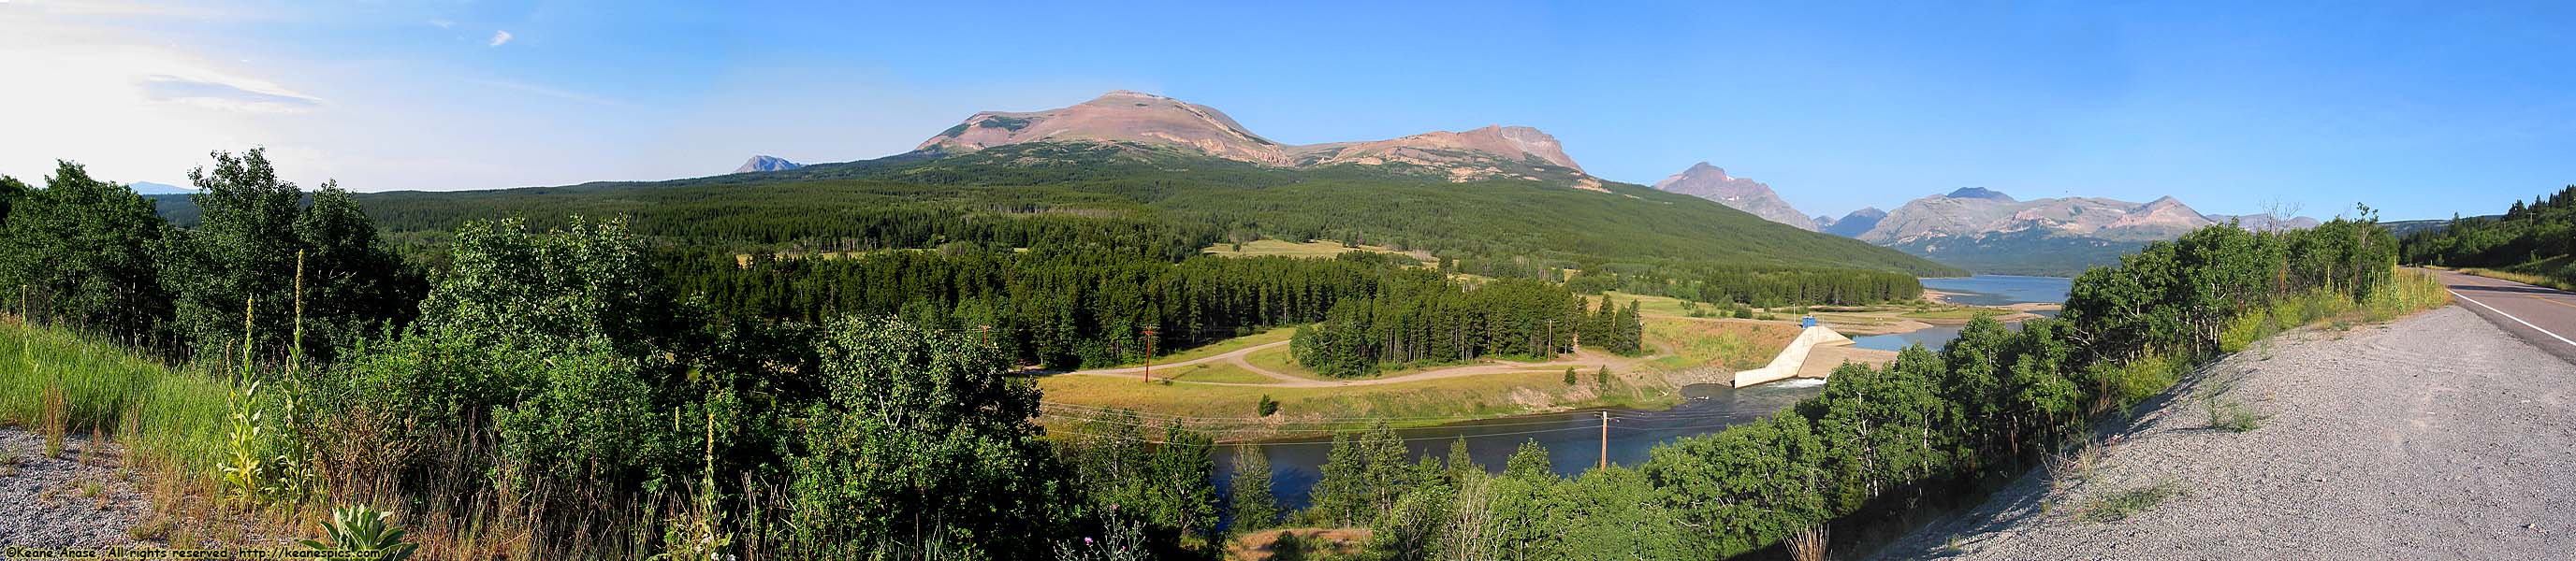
[923,444]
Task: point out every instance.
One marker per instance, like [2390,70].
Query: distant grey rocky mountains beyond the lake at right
[1985,230]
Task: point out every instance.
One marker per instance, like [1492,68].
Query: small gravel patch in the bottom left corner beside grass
[63,503]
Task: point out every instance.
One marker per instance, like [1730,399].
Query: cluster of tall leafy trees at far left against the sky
[97,256]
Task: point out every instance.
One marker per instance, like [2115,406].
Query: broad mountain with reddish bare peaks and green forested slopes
[1158,176]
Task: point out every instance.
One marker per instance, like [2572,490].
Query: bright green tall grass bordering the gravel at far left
[171,416]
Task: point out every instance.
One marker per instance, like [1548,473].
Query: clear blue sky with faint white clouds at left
[2420,109]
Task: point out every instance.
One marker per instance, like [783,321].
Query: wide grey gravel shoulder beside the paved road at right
[2428,439]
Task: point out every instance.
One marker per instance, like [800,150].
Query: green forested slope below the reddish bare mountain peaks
[1160,205]
